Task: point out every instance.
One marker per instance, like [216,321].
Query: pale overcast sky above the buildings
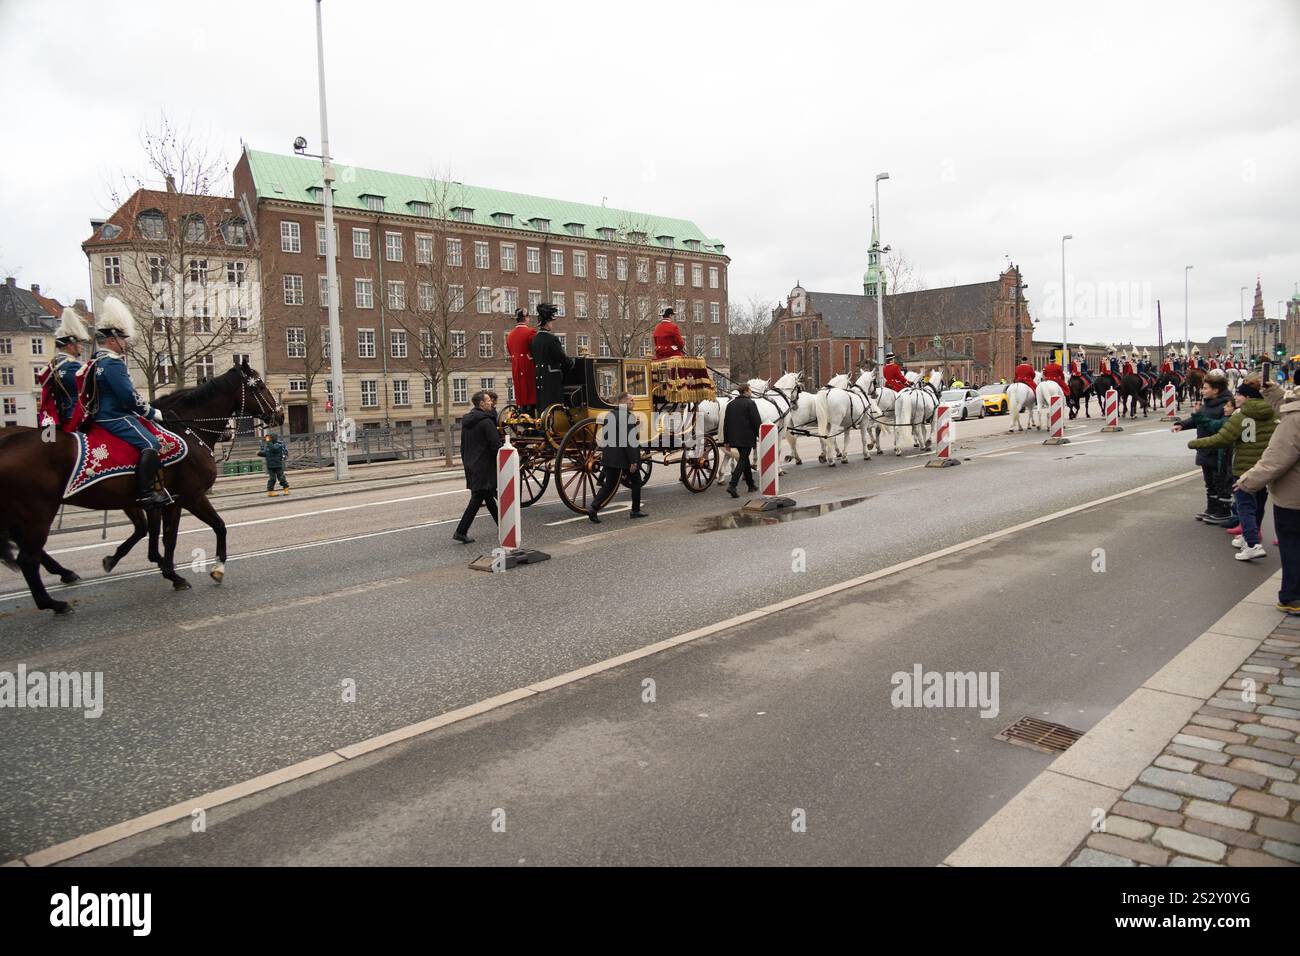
[1159,135]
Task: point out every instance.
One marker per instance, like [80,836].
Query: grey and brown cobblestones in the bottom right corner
[1224,793]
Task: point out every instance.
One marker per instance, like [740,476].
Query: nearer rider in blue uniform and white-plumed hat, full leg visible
[119,406]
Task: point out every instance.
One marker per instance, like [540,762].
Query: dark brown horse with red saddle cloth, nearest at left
[33,474]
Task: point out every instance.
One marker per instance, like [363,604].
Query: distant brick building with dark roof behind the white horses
[981,330]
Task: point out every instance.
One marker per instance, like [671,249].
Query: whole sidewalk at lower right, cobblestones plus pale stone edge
[1198,768]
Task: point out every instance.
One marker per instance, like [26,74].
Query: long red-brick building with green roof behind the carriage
[432,272]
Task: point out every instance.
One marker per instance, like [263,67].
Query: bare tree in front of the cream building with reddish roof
[177,271]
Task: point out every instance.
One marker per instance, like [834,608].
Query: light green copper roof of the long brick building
[291,178]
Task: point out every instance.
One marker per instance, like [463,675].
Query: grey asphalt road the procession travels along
[219,685]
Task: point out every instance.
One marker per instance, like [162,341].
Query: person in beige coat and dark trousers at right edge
[1279,469]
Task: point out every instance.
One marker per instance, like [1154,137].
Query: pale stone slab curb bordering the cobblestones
[1047,821]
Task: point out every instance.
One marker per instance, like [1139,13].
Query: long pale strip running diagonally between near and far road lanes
[131,828]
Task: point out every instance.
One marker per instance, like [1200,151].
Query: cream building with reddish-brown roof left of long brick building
[188,269]
